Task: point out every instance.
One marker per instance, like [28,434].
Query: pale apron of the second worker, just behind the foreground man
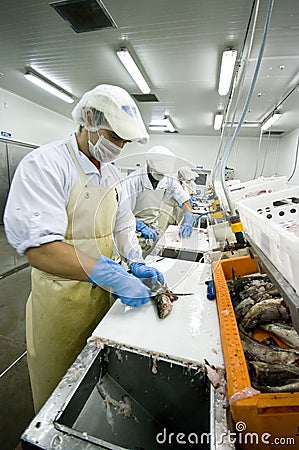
[147,209]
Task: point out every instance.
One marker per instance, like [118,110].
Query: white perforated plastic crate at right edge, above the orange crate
[268,220]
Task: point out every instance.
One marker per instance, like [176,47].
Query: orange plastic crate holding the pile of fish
[270,420]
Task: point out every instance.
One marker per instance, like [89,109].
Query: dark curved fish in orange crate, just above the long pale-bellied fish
[266,311]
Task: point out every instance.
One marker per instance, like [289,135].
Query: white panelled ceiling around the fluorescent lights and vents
[179,46]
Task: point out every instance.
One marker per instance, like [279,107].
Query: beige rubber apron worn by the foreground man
[60,313]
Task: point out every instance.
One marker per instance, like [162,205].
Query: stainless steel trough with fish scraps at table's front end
[115,397]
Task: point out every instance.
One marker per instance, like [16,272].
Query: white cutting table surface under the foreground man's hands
[189,332]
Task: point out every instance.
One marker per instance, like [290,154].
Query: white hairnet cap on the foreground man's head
[119,109]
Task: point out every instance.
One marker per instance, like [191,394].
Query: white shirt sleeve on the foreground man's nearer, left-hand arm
[35,211]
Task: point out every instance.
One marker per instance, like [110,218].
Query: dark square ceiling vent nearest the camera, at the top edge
[84,15]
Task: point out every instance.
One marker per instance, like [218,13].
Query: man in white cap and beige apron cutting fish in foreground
[63,212]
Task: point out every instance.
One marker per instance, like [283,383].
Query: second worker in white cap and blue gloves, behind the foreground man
[148,187]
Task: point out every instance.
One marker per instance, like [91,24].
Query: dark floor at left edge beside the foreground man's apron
[16,410]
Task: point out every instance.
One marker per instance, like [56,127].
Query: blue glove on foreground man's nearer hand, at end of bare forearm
[130,290]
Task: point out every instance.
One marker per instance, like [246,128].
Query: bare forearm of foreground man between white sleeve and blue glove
[62,259]
